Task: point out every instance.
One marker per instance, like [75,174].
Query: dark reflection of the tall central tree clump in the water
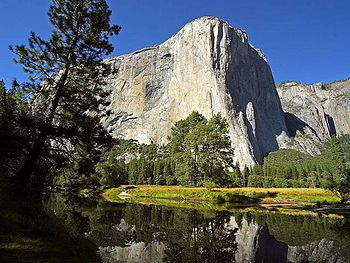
[202,240]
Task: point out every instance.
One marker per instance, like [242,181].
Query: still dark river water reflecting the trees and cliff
[130,232]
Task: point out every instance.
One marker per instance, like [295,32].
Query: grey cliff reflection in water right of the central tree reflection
[256,244]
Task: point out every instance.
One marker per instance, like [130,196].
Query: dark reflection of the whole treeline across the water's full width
[189,235]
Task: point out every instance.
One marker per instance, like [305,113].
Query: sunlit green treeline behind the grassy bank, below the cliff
[199,154]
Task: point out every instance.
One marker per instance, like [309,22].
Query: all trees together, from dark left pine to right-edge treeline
[51,133]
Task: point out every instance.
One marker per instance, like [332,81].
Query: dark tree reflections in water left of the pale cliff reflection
[188,234]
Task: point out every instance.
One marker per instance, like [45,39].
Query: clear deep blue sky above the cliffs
[305,40]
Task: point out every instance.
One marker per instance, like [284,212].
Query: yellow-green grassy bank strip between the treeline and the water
[246,195]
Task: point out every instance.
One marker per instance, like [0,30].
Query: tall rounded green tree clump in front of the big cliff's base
[201,150]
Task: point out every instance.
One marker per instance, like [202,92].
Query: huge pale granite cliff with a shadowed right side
[209,67]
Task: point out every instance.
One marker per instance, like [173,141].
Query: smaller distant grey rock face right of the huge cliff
[315,112]
